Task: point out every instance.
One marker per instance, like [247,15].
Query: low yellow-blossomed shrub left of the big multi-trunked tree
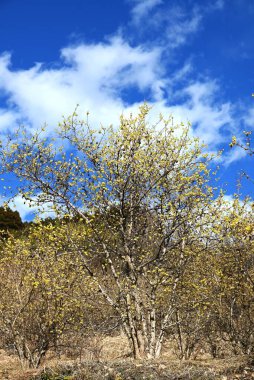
[41,291]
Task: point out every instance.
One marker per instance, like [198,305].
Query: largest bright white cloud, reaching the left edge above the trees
[91,75]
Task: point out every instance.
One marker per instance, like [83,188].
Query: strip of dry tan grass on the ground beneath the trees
[106,358]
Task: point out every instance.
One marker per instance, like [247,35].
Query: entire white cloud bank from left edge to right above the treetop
[95,75]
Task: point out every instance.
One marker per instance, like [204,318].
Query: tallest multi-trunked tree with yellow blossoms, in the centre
[144,193]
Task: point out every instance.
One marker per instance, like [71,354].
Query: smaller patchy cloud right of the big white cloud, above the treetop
[209,118]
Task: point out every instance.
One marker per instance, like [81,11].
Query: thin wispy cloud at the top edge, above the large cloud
[170,24]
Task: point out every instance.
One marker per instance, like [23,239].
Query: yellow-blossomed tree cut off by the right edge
[233,307]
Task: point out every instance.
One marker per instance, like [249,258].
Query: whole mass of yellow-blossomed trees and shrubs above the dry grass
[140,240]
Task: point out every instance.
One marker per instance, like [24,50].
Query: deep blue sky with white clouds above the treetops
[193,59]
